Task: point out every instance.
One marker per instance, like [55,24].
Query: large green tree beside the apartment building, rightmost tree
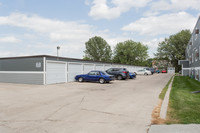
[173,48]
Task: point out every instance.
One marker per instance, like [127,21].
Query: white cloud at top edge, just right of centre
[102,10]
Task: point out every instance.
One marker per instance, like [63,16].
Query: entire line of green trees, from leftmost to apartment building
[130,52]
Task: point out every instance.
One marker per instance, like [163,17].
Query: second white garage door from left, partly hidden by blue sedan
[73,70]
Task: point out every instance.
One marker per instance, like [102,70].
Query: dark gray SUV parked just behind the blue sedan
[119,73]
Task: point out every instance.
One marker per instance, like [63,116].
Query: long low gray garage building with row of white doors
[45,69]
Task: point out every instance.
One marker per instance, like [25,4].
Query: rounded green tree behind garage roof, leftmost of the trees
[97,49]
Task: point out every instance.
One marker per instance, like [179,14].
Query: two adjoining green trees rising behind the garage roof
[127,52]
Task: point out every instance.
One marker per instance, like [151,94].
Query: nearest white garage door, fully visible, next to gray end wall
[56,72]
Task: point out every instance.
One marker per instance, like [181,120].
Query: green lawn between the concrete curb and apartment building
[184,106]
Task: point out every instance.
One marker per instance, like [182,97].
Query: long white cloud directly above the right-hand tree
[162,25]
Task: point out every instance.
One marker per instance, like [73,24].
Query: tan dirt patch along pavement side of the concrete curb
[156,114]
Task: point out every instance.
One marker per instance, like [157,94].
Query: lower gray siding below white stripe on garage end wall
[22,78]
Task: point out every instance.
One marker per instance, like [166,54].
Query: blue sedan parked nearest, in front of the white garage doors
[93,76]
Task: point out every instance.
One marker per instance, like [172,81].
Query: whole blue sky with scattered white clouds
[32,27]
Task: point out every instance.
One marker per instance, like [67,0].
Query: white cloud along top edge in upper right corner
[175,5]
